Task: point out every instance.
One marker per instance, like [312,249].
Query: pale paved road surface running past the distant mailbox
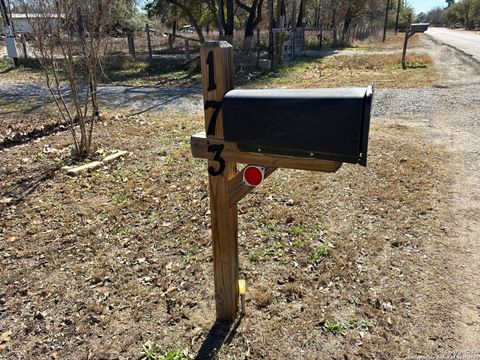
[468,43]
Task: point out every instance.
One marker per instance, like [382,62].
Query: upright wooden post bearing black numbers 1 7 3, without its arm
[217,78]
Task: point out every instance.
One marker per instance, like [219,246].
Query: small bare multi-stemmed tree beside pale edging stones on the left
[69,41]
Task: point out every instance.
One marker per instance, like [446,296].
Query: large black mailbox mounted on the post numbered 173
[330,124]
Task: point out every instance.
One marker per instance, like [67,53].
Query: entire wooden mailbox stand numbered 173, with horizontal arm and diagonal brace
[225,181]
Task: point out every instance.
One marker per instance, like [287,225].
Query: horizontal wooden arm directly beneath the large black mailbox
[199,144]
